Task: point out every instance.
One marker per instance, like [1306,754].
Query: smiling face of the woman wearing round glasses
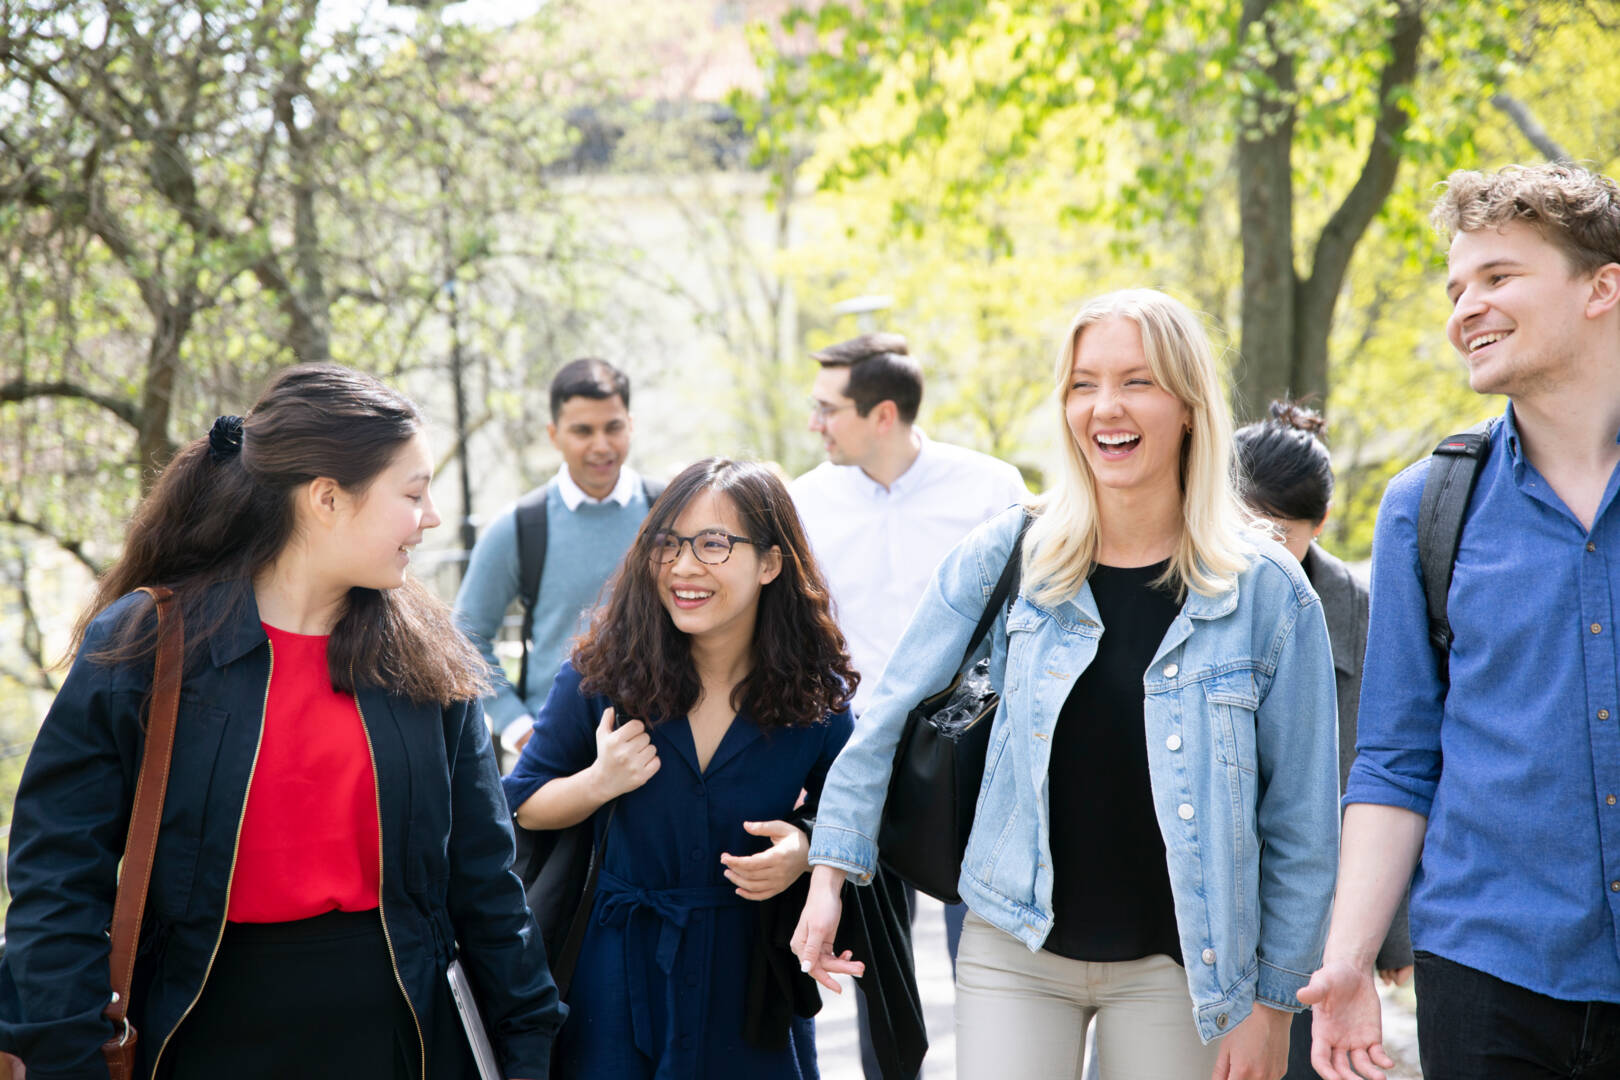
[712,603]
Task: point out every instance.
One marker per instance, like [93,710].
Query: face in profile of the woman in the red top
[377,530]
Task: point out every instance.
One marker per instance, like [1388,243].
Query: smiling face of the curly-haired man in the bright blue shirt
[1519,315]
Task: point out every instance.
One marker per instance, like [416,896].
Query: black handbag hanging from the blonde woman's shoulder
[940,763]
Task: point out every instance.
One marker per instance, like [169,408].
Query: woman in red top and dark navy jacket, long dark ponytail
[333,827]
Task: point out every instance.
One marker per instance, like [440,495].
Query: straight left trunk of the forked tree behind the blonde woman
[1268,221]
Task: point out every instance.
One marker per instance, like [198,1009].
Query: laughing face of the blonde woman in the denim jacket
[1130,430]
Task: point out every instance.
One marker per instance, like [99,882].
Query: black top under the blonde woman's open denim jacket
[1111,883]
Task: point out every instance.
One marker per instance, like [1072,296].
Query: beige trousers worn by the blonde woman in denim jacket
[1021,1016]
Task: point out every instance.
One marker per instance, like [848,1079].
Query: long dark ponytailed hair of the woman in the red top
[223,511]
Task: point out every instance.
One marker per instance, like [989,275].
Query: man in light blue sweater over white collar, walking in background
[594,511]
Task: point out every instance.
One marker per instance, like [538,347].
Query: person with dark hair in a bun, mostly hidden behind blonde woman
[1287,477]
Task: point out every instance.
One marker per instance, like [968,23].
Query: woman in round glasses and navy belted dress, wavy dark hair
[707,695]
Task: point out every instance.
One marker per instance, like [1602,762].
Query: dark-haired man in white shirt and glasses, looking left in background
[884,511]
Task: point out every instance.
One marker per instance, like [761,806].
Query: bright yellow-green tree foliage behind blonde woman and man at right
[983,138]
